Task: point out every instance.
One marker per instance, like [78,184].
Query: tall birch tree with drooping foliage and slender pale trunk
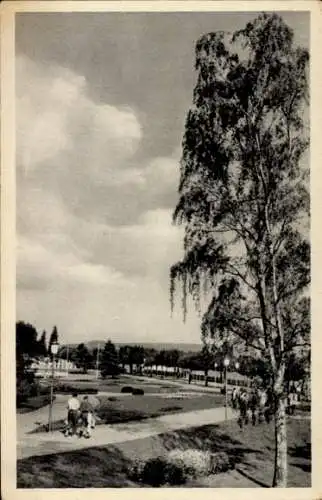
[243,195]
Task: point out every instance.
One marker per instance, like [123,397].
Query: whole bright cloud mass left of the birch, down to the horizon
[95,239]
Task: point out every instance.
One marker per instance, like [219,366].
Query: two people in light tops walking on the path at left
[80,417]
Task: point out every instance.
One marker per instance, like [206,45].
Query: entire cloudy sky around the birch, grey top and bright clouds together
[101,104]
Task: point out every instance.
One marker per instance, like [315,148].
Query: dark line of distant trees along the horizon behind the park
[111,361]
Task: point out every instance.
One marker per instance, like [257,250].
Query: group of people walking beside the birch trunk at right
[257,404]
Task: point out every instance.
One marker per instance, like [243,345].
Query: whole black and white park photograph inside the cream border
[163,249]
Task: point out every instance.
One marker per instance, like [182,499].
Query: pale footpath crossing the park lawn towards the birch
[47,443]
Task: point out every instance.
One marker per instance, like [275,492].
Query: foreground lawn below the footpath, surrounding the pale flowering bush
[252,450]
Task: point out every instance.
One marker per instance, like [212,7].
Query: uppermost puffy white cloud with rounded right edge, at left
[57,120]
